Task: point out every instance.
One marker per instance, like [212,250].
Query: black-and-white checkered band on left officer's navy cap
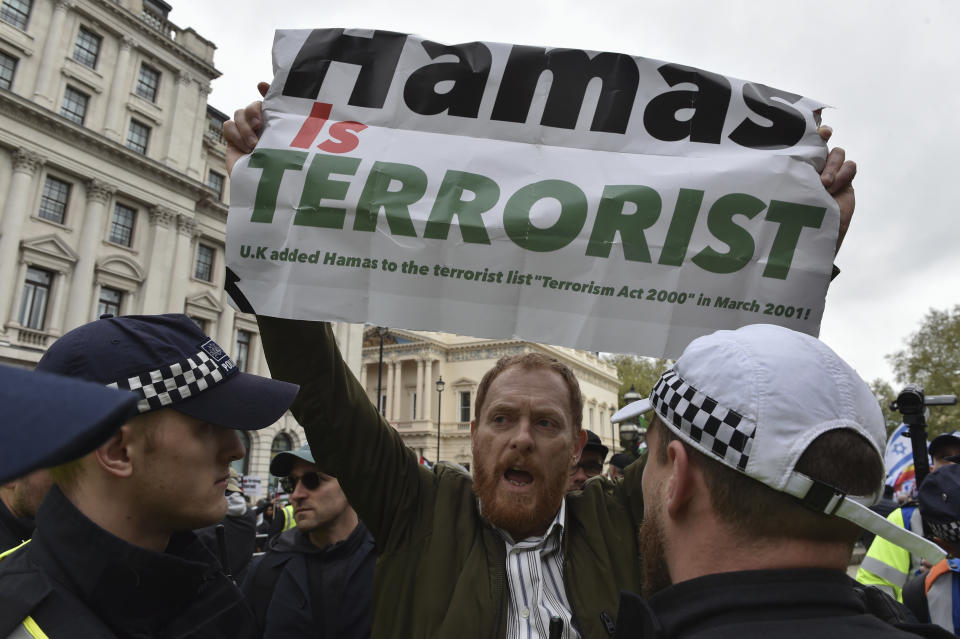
[176,382]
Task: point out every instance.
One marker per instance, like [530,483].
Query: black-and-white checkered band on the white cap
[716,430]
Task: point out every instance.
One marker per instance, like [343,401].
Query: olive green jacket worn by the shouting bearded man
[441,567]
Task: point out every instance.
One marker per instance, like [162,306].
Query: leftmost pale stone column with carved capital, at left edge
[25,166]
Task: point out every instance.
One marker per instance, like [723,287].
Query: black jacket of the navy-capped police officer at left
[77,581]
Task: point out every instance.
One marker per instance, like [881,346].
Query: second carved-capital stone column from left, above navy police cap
[78,306]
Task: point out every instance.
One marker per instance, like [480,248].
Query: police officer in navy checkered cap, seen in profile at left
[107,558]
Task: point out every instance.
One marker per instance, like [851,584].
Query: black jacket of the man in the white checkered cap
[781,604]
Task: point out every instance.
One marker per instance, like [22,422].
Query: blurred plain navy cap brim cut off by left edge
[49,420]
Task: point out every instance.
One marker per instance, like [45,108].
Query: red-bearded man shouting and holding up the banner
[501,554]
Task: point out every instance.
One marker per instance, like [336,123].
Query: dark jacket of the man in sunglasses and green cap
[299,590]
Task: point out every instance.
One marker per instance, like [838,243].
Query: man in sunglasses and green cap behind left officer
[316,578]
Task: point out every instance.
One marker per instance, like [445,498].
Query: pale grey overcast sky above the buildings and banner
[889,69]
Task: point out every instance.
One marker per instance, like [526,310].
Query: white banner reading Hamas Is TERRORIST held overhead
[595,200]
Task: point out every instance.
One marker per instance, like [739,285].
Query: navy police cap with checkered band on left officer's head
[169,362]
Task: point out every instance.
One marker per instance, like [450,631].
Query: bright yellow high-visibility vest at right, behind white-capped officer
[886,565]
